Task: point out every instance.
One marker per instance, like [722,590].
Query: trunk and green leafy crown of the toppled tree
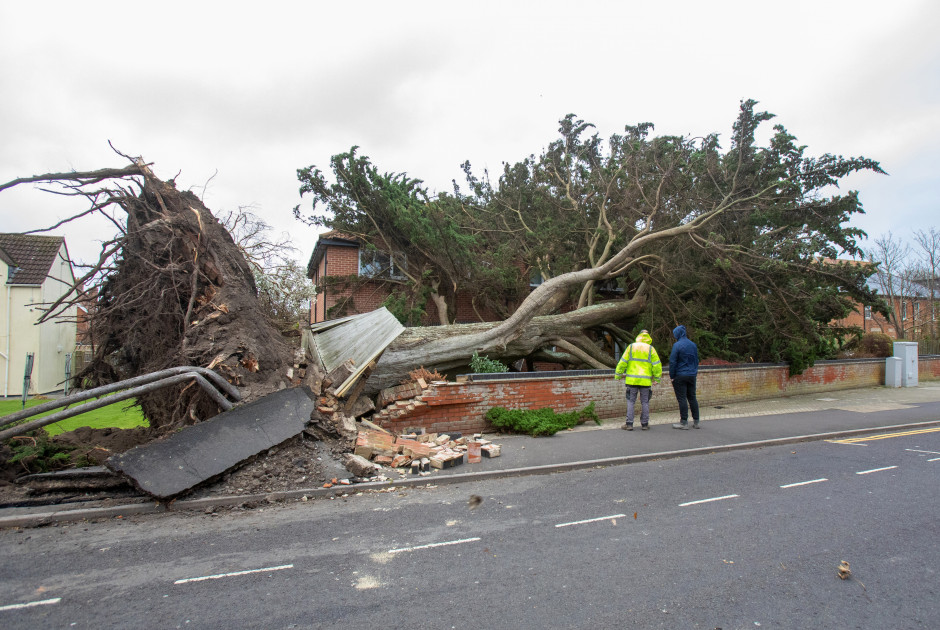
[731,242]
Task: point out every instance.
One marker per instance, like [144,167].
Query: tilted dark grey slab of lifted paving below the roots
[166,468]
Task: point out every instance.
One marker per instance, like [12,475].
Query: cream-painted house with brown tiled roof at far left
[34,270]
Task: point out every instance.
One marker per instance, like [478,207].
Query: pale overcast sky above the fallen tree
[234,98]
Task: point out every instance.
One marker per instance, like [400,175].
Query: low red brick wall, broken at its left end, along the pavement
[462,406]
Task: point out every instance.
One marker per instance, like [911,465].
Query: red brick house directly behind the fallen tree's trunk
[351,279]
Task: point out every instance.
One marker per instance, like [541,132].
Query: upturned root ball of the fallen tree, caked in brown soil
[171,289]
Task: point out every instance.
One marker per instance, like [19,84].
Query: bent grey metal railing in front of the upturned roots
[210,381]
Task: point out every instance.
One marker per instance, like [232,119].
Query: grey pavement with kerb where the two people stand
[744,425]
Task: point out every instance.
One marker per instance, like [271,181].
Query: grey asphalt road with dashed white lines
[743,539]
